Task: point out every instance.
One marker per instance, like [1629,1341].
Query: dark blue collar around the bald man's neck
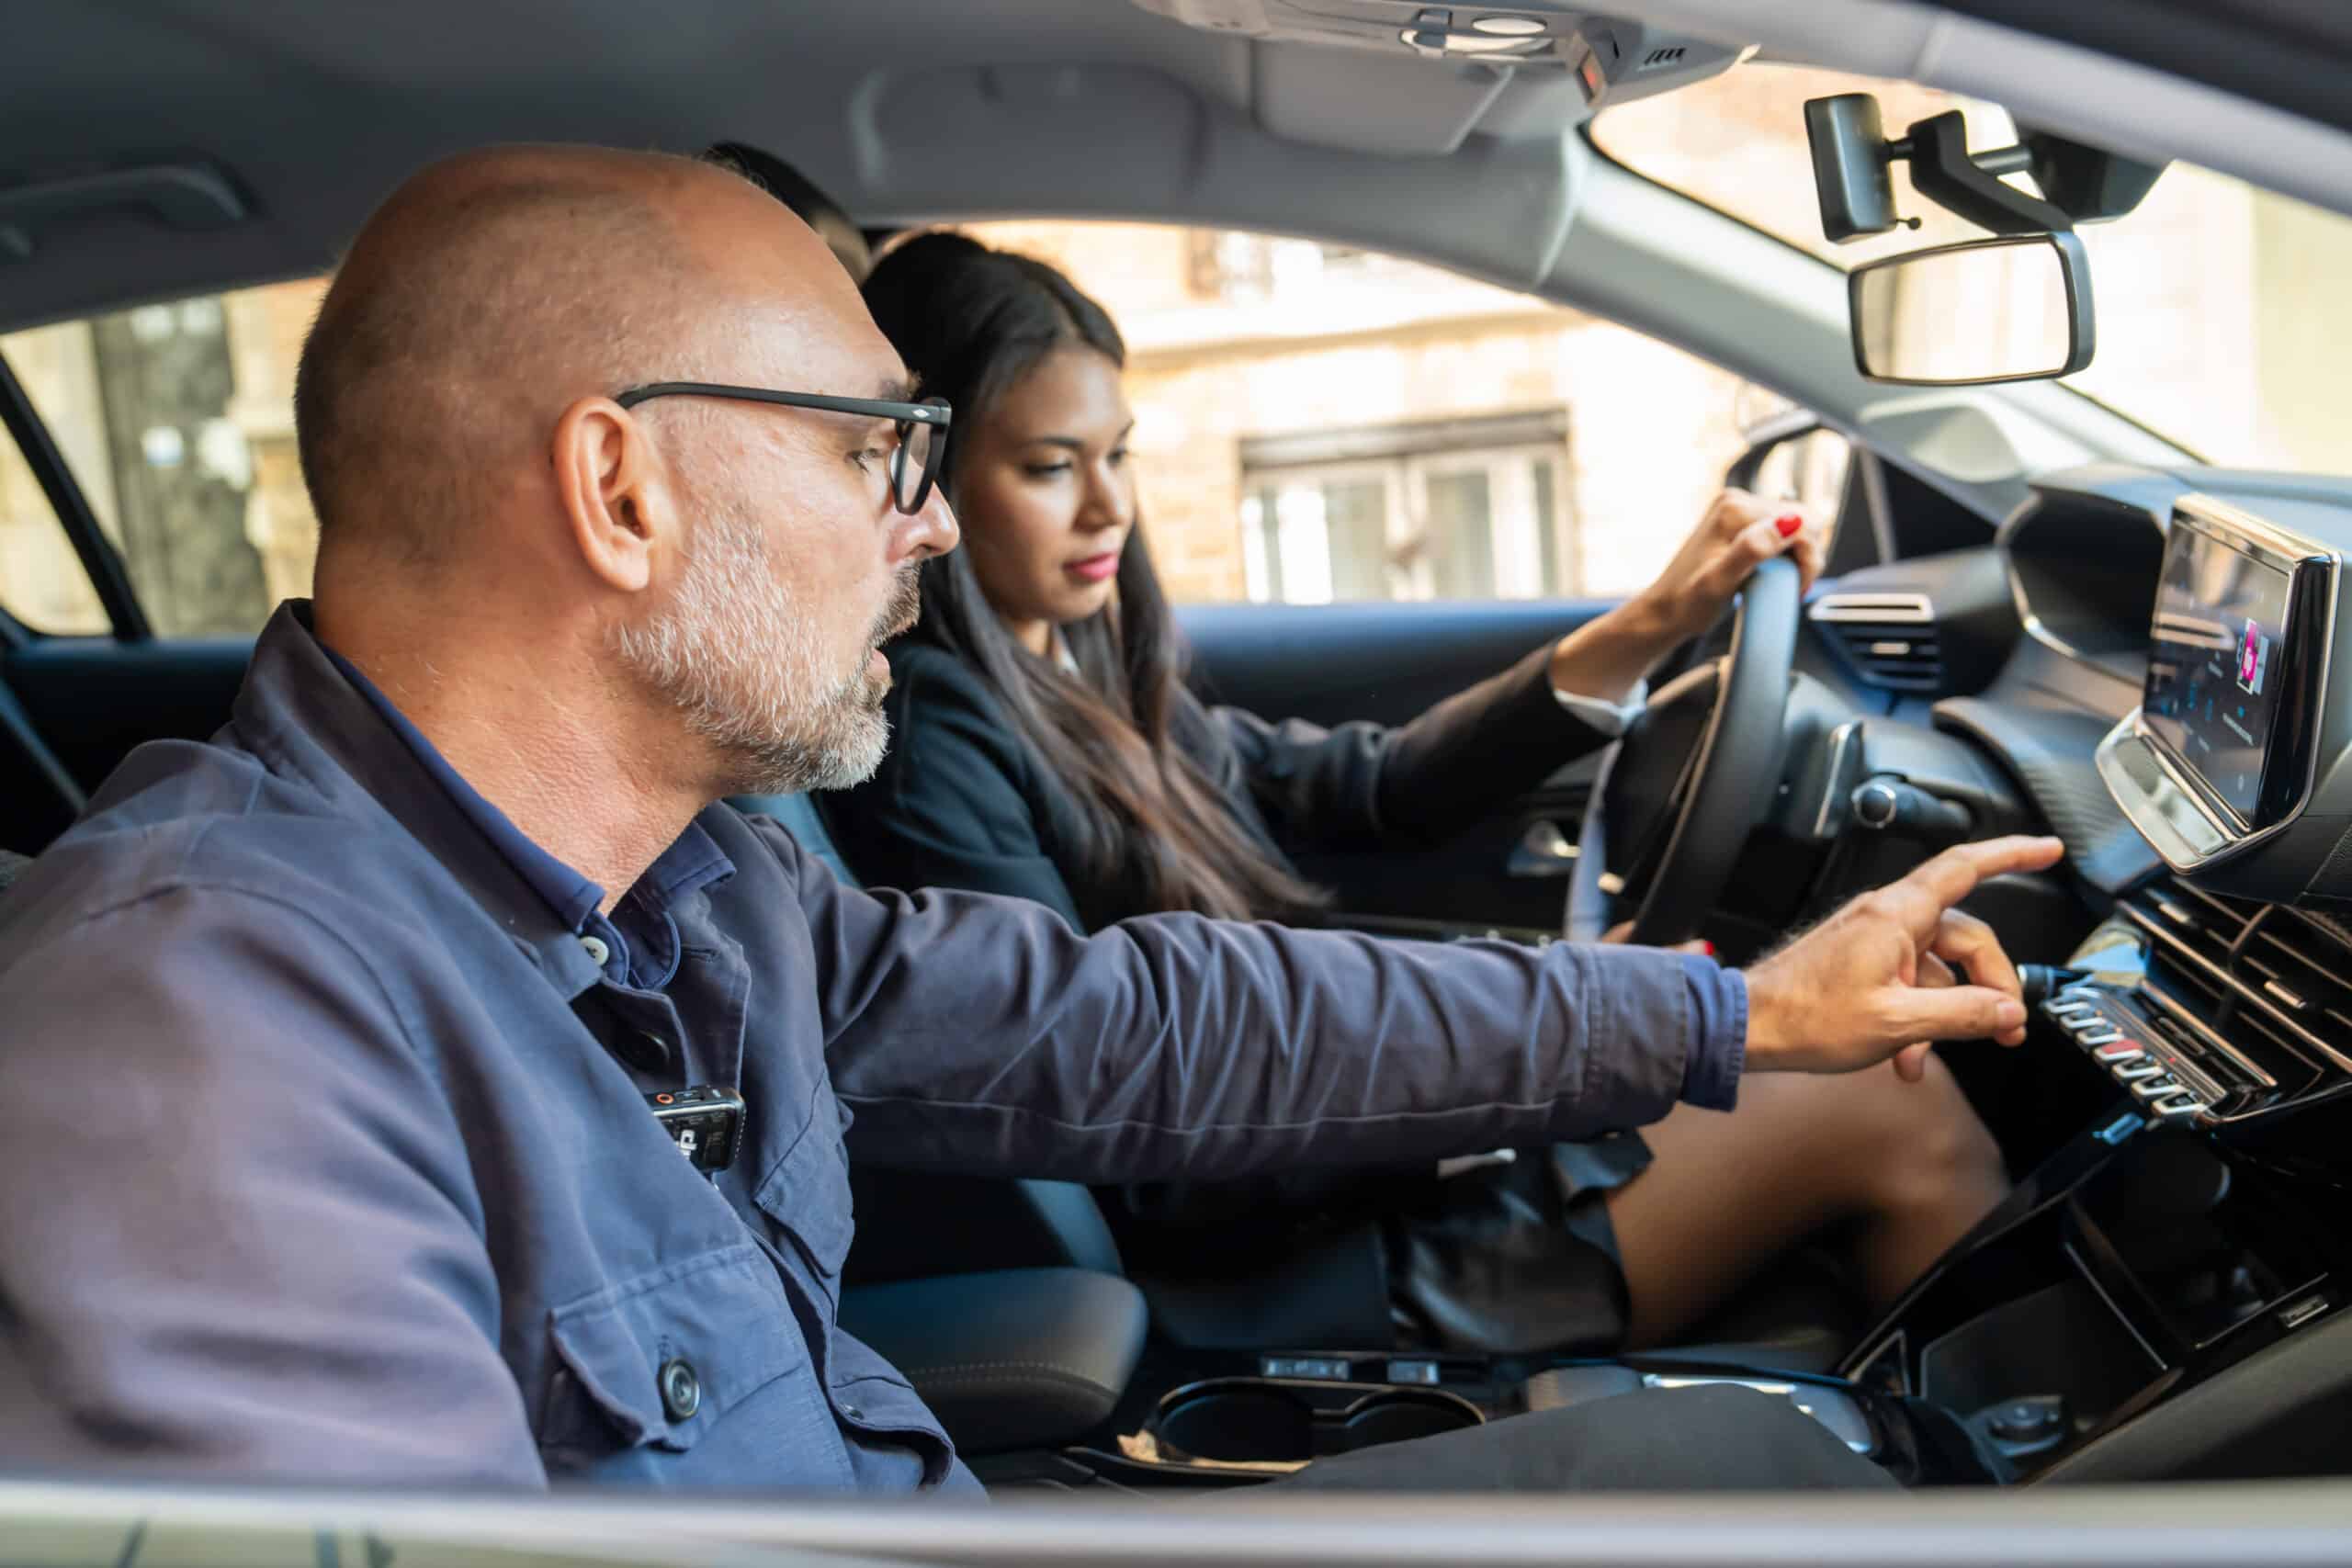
[312,711]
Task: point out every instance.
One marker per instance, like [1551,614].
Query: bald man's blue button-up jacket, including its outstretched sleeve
[326,1153]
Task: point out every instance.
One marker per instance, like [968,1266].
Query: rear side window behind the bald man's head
[178,422]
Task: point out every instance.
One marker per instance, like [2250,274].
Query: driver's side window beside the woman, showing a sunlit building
[1323,424]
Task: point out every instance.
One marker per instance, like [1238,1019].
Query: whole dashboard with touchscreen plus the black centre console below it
[2146,664]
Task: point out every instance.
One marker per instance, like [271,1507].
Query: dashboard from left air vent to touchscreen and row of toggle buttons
[2170,702]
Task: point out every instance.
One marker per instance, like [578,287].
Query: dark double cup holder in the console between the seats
[1250,1421]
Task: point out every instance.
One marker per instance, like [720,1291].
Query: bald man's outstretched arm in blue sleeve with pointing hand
[982,1036]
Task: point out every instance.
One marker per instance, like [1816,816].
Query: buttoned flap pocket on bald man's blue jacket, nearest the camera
[660,1360]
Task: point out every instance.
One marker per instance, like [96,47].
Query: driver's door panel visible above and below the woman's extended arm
[1389,664]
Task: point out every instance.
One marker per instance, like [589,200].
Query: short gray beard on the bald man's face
[744,671]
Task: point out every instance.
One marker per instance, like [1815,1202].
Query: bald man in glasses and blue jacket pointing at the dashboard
[330,1050]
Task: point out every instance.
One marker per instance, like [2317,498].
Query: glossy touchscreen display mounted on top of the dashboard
[2214,662]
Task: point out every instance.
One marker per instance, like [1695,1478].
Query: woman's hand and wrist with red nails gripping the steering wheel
[1610,655]
